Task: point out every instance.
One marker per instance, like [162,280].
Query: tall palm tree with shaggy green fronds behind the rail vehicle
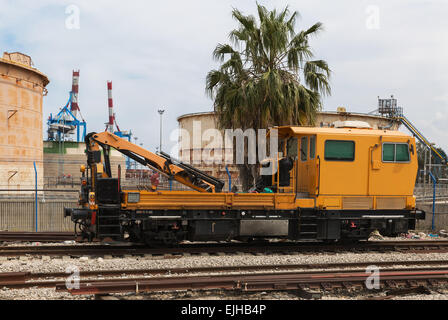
[268,76]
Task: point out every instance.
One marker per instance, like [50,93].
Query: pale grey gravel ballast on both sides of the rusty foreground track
[47,264]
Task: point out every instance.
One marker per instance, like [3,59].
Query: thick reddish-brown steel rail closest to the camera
[260,282]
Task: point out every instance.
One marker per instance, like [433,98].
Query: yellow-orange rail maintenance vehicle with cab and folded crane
[327,183]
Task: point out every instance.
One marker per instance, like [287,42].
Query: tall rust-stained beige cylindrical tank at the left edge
[21,139]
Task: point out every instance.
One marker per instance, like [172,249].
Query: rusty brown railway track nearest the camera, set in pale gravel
[409,275]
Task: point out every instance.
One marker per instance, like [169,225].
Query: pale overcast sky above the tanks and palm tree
[157,53]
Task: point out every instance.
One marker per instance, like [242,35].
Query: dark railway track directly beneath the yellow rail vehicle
[419,246]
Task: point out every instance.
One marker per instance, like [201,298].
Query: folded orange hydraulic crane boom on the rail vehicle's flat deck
[163,163]
